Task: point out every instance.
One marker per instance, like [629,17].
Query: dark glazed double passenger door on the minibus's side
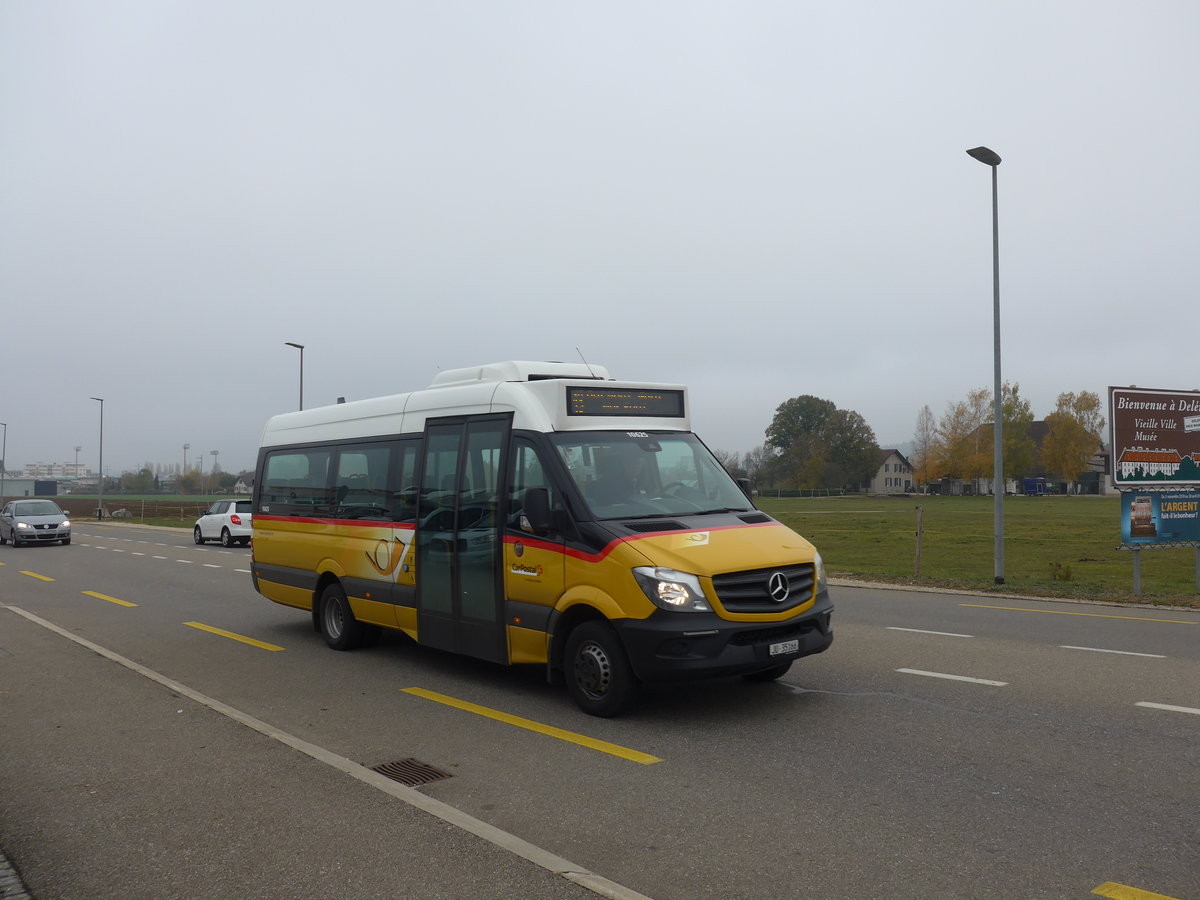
[460,602]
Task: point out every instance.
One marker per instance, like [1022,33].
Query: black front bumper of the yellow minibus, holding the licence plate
[671,647]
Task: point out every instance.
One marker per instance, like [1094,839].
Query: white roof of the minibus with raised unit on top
[543,397]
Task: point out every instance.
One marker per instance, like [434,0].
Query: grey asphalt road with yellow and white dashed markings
[946,747]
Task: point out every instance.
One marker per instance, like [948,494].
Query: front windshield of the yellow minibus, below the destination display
[647,475]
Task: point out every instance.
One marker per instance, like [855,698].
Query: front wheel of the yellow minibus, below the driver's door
[599,677]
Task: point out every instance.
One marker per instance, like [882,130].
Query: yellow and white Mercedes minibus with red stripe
[535,513]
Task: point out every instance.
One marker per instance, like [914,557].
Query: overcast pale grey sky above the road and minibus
[759,200]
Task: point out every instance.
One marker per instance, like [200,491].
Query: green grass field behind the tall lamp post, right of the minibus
[1054,547]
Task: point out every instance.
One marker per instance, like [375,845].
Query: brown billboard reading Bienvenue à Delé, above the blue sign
[1156,437]
